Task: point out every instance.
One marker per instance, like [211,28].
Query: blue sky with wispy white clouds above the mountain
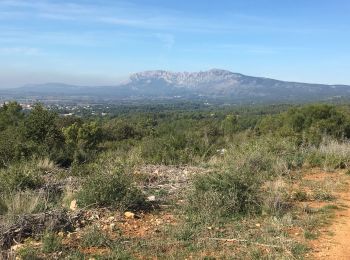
[101,42]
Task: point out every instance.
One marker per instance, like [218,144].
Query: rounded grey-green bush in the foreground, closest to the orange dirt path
[225,194]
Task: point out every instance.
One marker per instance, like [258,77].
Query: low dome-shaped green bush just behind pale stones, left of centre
[111,189]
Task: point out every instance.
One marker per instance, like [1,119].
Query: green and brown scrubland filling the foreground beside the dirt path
[230,193]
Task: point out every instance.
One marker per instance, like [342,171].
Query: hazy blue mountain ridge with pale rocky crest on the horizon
[213,84]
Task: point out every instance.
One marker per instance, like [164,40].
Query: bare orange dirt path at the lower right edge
[334,243]
